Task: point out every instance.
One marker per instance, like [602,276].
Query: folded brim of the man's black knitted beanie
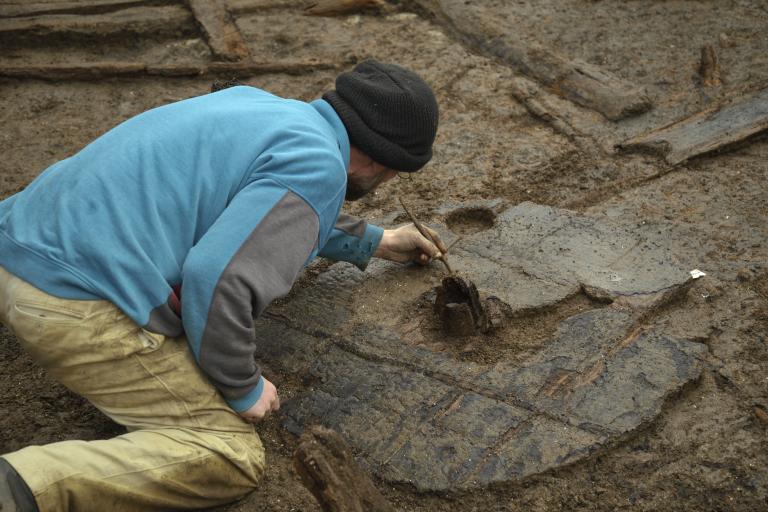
[371,143]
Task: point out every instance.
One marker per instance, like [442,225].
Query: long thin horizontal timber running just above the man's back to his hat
[90,71]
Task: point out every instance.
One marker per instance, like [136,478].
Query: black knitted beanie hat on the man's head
[390,113]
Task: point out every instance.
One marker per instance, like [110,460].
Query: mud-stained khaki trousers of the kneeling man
[185,448]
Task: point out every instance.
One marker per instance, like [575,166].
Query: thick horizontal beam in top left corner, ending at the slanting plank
[136,20]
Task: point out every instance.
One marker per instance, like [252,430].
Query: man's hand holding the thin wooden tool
[406,244]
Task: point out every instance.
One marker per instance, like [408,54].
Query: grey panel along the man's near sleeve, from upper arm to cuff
[263,269]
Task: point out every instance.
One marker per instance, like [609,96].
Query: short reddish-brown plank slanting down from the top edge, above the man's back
[220,31]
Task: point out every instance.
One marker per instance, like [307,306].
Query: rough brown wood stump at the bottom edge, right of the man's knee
[328,469]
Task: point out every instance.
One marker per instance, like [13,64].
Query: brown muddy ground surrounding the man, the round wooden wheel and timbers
[707,449]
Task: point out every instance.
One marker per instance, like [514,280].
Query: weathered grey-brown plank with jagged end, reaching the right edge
[707,131]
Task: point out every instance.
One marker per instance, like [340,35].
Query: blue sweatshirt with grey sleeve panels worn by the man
[225,196]
